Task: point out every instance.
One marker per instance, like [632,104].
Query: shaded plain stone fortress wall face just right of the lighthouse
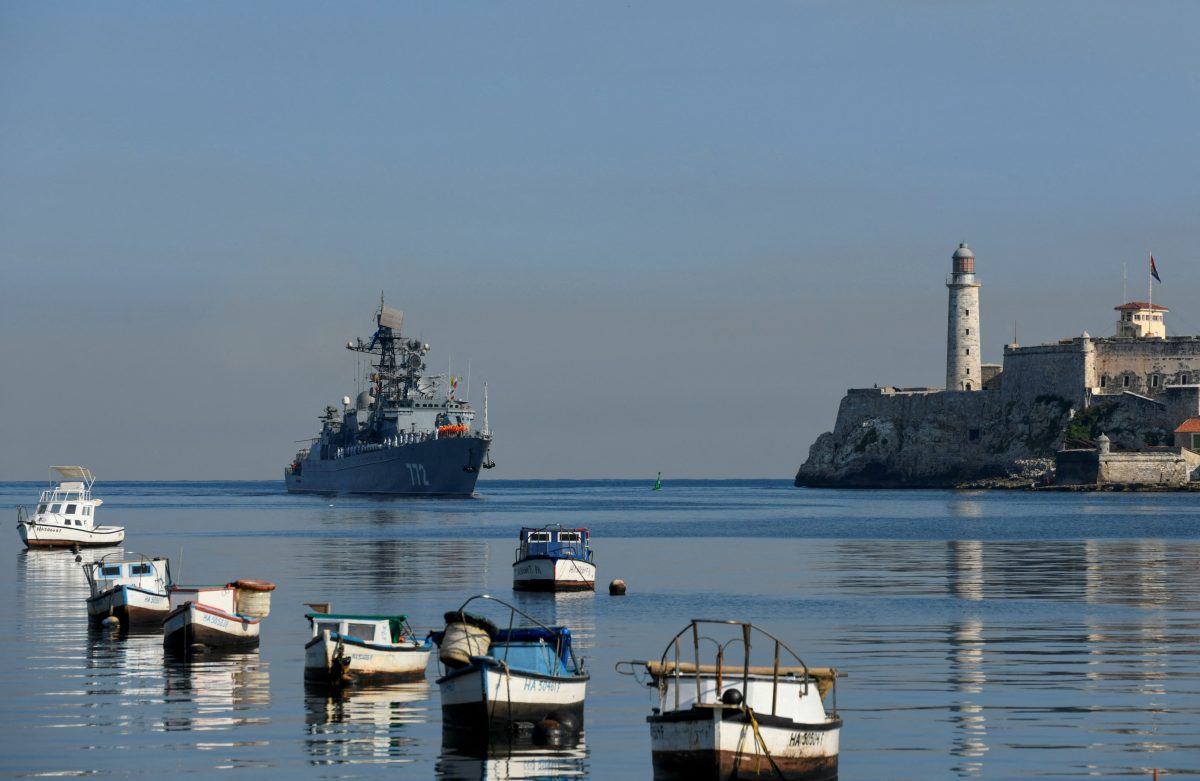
[1046,370]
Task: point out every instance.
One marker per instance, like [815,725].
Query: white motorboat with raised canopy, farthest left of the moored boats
[67,515]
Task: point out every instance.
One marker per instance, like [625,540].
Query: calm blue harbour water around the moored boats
[994,635]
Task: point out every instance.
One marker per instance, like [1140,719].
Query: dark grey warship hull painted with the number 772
[440,467]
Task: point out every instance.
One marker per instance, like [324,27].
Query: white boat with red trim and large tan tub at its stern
[217,617]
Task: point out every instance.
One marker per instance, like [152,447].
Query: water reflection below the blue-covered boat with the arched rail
[514,760]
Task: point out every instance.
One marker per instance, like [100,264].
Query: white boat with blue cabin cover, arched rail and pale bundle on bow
[508,680]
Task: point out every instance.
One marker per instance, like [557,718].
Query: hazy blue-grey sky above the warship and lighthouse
[668,236]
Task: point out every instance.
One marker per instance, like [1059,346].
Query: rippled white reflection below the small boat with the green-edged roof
[361,726]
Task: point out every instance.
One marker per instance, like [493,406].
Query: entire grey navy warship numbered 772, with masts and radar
[405,435]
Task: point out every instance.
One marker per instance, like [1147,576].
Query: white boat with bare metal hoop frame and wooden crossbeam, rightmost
[737,720]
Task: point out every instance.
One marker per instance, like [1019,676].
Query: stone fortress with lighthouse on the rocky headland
[1120,410]
